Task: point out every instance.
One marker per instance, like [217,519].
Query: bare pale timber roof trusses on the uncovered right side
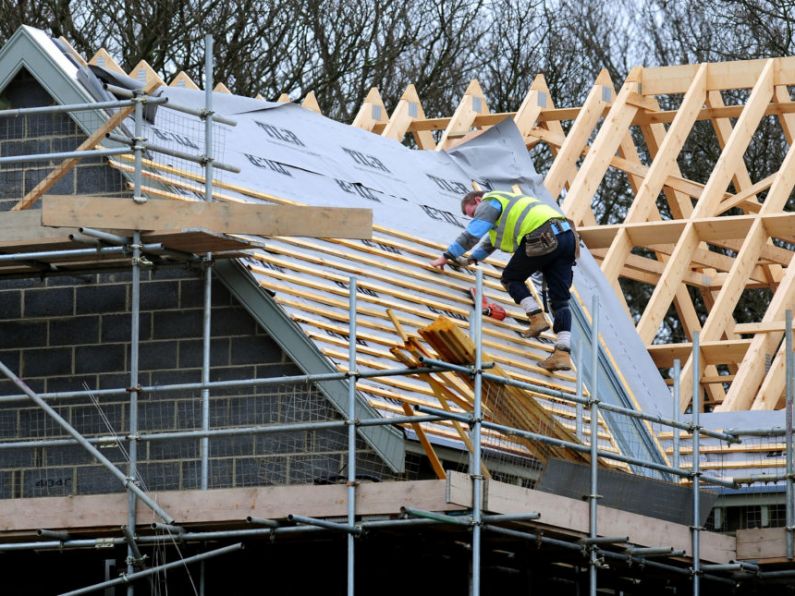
[683,247]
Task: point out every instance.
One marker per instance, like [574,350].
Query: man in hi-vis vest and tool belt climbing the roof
[541,239]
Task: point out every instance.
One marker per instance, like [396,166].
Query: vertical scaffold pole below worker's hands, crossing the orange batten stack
[475,471]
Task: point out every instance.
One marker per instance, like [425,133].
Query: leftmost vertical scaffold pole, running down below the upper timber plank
[132,449]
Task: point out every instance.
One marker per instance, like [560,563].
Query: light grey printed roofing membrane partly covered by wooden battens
[288,154]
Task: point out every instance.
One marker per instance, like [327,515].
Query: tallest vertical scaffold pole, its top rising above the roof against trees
[208,277]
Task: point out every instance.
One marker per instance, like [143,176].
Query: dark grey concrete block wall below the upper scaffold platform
[73,333]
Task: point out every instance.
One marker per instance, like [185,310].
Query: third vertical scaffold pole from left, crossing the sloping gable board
[352,372]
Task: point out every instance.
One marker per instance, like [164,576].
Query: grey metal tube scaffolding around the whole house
[595,546]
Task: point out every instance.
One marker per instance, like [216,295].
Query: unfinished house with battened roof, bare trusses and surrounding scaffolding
[228,367]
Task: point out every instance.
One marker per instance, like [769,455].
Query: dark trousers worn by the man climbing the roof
[557,270]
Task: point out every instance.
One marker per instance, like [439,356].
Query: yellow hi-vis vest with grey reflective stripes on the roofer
[520,215]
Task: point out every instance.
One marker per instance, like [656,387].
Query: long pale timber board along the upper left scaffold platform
[227,218]
